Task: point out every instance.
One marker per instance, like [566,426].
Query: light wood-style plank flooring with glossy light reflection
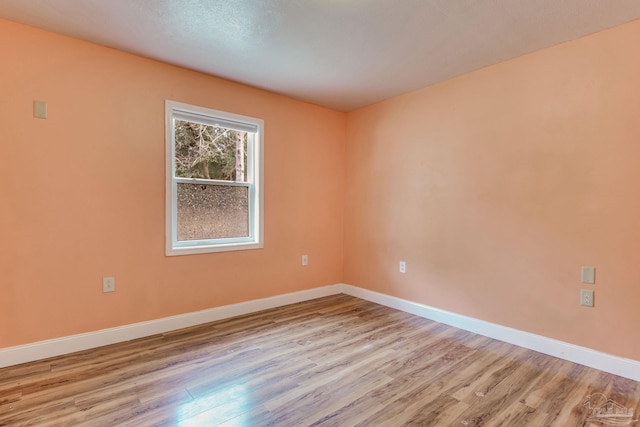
[334,361]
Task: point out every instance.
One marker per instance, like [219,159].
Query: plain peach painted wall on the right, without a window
[497,186]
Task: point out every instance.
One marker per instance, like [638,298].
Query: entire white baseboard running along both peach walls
[627,368]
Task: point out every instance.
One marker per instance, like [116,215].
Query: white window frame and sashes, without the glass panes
[255,178]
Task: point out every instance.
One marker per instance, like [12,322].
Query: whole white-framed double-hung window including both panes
[214,180]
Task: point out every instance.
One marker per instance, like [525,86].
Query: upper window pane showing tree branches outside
[210,152]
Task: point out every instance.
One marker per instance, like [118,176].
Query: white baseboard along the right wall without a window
[623,367]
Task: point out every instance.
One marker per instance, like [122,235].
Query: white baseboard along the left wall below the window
[56,347]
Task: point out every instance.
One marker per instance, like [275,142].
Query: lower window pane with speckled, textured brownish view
[212,211]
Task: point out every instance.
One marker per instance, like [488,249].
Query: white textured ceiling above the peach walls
[342,54]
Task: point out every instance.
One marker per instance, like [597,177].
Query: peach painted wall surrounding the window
[82,193]
